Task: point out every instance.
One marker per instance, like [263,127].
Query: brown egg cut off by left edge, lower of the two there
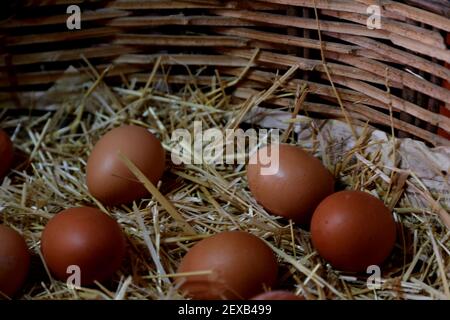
[14,261]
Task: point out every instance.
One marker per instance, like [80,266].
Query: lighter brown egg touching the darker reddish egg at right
[295,189]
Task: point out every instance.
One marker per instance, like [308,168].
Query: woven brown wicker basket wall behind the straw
[400,67]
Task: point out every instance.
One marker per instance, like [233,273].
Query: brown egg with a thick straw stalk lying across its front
[108,178]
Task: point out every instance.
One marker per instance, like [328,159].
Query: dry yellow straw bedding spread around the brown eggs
[56,142]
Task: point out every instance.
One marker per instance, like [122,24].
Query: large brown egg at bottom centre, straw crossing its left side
[240,263]
